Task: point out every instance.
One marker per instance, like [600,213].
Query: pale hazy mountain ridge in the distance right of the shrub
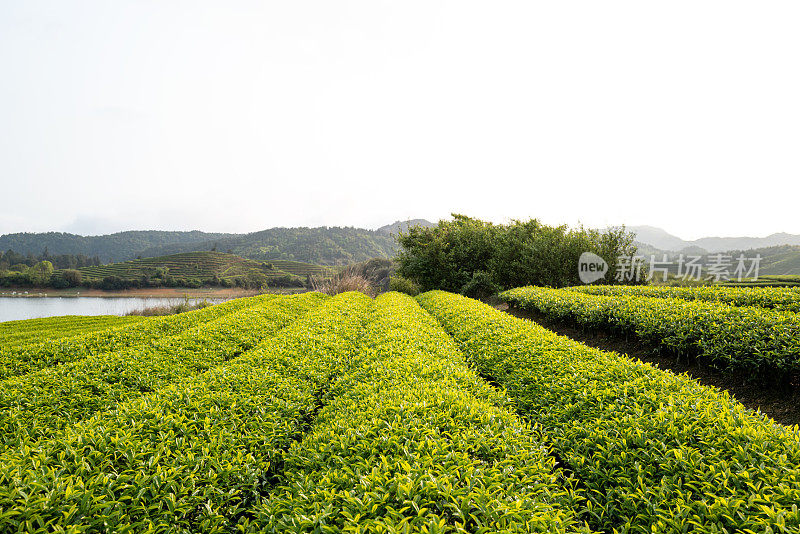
[661,239]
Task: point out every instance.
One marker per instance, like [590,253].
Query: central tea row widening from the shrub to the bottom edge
[414,441]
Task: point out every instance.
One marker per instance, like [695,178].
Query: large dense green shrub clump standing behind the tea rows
[475,257]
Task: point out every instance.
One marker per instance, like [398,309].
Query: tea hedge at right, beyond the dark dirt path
[764,344]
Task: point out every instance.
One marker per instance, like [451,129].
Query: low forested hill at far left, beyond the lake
[109,248]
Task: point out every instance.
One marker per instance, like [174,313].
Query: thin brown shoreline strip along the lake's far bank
[148,292]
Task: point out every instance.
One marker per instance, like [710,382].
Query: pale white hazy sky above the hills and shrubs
[240,116]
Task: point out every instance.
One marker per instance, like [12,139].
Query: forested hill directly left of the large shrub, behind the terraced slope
[321,246]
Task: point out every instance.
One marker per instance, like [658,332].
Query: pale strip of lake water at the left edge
[16,308]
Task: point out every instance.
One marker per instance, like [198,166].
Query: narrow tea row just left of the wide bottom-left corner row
[37,405]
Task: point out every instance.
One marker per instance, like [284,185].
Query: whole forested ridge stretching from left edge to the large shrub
[322,246]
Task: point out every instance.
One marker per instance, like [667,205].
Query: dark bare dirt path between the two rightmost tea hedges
[783,405]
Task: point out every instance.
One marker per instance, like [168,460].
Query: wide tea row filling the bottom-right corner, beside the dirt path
[655,452]
